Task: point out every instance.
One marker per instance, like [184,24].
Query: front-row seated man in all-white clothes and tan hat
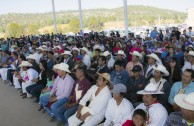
[98,95]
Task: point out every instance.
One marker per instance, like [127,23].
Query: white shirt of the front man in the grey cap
[116,114]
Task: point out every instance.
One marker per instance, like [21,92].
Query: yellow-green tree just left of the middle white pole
[74,25]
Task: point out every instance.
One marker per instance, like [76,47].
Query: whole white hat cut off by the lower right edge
[185,101]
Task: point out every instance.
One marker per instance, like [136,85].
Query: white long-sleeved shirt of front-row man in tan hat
[98,104]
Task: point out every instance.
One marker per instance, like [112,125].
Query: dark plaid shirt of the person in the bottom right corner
[175,119]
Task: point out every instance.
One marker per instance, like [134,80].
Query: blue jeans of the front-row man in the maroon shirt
[64,113]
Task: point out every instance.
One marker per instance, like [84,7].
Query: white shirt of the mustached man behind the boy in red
[157,112]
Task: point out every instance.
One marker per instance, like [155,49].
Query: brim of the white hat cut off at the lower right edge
[179,100]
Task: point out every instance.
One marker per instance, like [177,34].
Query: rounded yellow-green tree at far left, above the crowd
[14,30]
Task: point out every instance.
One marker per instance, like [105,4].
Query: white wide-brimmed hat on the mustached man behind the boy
[150,89]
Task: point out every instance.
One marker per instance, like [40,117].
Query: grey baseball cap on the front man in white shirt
[118,88]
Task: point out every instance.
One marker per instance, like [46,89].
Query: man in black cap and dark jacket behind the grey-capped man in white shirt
[136,83]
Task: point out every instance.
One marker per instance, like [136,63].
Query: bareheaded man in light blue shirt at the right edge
[185,86]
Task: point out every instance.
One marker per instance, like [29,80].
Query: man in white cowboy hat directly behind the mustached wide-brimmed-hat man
[163,85]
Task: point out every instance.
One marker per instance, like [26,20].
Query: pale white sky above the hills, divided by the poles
[41,6]
